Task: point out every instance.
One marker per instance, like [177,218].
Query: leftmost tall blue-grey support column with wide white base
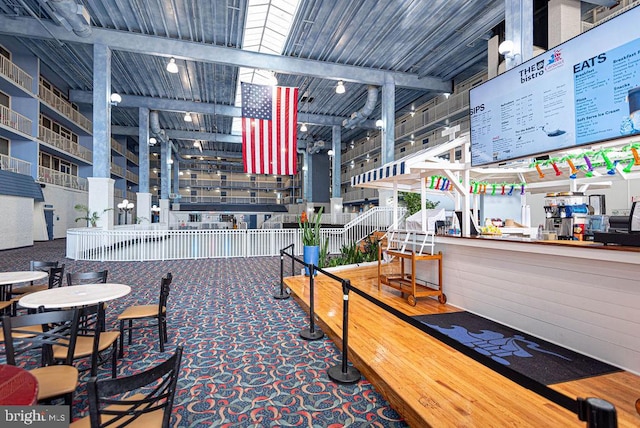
[101,185]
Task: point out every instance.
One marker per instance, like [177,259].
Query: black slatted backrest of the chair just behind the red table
[58,328]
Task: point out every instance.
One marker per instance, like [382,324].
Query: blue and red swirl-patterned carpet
[244,364]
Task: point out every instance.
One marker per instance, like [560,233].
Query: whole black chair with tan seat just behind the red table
[56,328]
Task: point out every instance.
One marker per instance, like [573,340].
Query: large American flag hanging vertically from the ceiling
[269,129]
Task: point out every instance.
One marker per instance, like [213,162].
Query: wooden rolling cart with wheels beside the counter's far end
[414,247]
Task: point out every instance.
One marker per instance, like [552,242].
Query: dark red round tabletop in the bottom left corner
[18,387]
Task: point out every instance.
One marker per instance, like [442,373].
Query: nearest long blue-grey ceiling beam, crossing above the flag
[162,46]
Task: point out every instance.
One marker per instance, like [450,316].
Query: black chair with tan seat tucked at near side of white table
[92,341]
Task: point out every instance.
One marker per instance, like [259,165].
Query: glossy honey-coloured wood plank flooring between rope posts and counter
[432,384]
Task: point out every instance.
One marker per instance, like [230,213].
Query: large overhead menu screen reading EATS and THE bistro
[582,91]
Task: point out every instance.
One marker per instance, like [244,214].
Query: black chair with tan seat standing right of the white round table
[149,315]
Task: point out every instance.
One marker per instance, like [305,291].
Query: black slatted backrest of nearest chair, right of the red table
[157,384]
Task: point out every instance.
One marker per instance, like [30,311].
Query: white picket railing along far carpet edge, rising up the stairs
[145,244]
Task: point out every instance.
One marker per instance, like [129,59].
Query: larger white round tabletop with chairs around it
[74,295]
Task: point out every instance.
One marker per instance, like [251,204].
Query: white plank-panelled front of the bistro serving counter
[583,297]
